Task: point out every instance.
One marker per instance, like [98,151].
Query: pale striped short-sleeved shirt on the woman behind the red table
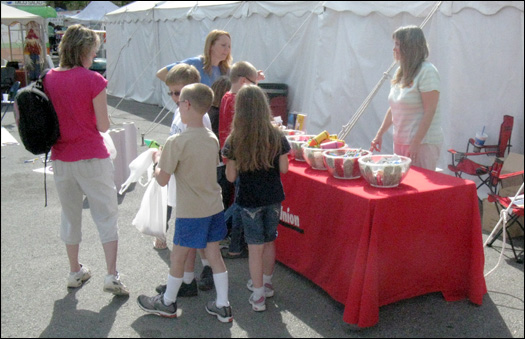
[407,107]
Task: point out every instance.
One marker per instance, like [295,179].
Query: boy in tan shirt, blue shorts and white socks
[193,157]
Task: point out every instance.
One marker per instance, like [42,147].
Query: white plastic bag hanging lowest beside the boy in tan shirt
[151,217]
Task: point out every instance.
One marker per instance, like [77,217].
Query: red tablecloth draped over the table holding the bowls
[368,247]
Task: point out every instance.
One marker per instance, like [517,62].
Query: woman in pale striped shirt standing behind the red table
[414,102]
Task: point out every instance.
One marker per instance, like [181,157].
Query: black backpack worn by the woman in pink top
[37,120]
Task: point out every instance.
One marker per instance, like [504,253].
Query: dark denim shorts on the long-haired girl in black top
[260,223]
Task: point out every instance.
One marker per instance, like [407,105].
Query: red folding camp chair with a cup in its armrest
[462,164]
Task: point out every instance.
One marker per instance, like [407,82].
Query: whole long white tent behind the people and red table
[331,54]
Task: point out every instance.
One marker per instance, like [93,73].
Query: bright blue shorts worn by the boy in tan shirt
[198,232]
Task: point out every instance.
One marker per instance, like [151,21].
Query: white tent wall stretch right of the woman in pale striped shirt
[481,66]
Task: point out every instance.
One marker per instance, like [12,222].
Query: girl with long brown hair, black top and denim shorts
[257,154]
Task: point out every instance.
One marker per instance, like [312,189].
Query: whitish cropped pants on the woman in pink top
[94,179]
